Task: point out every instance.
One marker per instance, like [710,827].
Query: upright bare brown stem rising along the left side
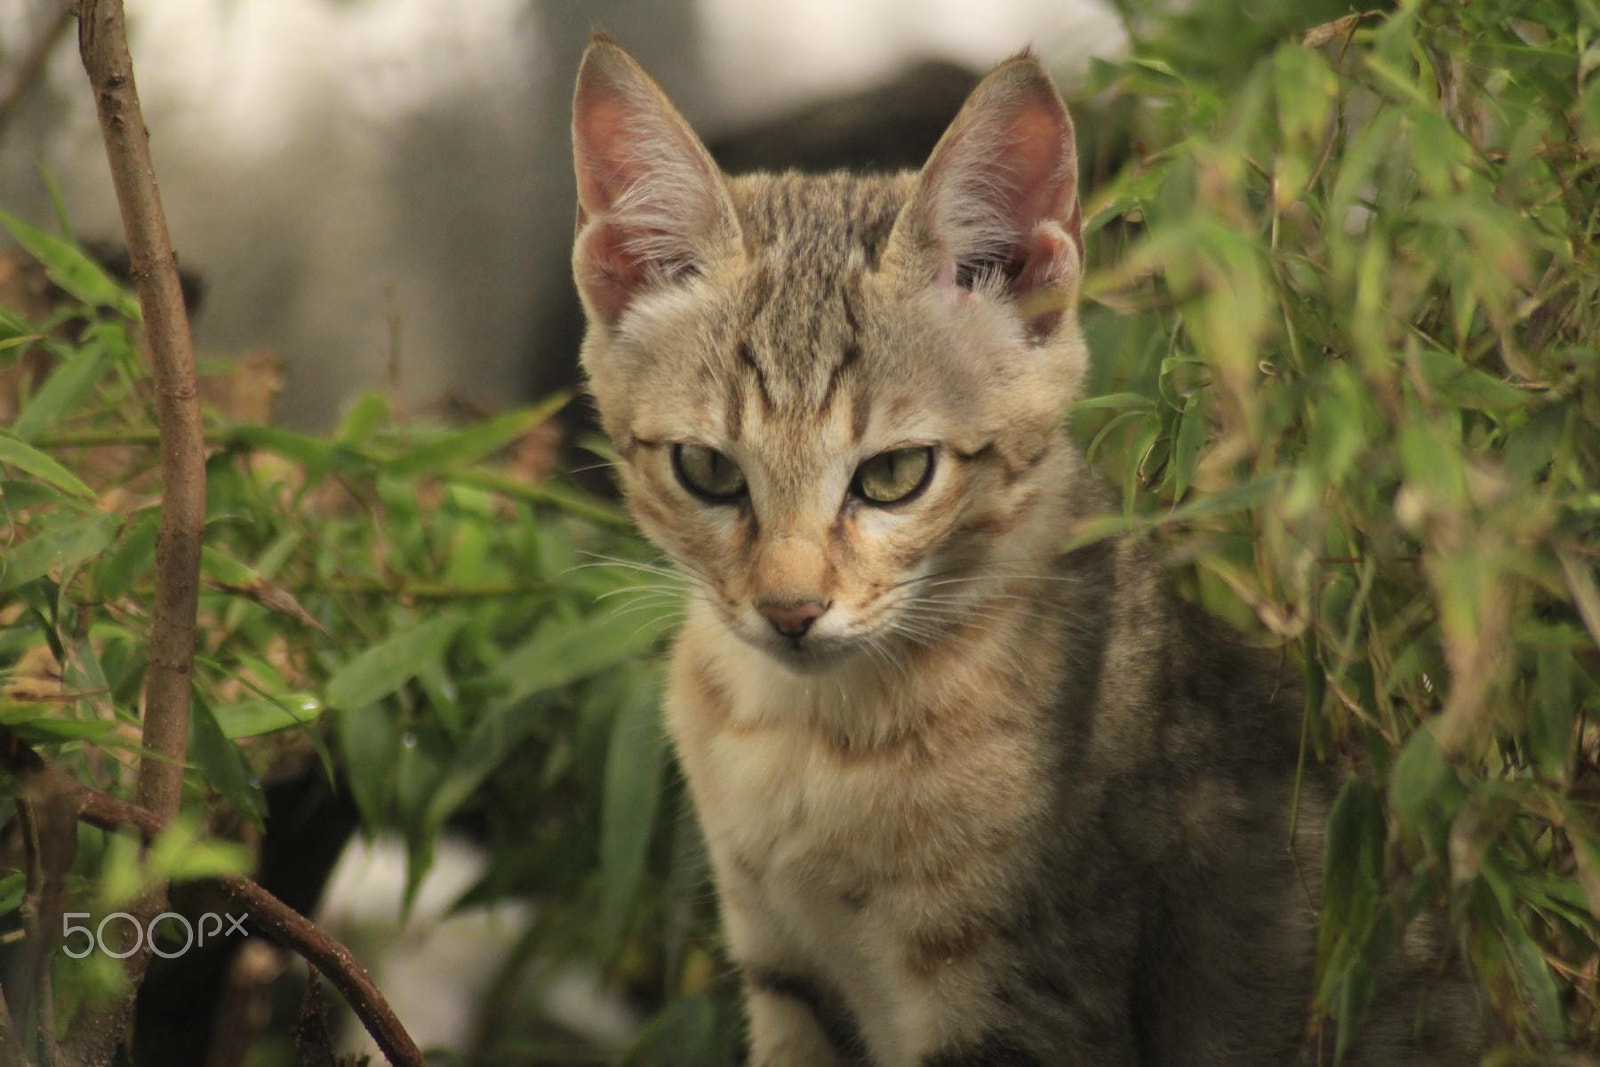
[103,46]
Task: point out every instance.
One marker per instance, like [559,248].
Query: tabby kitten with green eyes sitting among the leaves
[969,799]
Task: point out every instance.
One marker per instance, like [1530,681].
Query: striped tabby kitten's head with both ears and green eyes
[838,398]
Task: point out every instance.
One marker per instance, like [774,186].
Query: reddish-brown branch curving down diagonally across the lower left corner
[268,914]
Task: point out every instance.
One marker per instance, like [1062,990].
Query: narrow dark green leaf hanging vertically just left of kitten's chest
[633,793]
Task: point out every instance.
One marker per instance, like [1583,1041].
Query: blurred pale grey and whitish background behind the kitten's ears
[351,178]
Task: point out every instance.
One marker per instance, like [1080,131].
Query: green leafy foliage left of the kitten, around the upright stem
[415,610]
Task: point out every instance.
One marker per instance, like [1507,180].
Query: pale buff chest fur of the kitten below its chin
[866,860]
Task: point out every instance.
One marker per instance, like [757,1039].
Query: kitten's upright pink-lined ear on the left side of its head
[652,206]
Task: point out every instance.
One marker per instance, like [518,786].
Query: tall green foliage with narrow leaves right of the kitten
[1346,370]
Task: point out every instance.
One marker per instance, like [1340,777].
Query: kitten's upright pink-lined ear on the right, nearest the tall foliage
[998,202]
